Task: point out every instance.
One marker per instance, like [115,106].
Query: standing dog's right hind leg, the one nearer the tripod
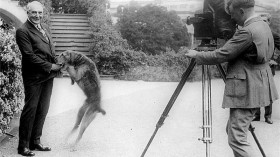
[87,119]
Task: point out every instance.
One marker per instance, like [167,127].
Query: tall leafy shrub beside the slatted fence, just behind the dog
[109,49]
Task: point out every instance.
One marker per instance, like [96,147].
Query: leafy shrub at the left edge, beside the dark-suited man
[11,86]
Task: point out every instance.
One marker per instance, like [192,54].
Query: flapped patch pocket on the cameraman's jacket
[236,85]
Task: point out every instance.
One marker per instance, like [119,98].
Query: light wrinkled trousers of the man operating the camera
[237,130]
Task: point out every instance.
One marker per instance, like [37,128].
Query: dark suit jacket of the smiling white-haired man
[37,54]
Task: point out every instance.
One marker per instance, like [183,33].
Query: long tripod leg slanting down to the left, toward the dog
[171,102]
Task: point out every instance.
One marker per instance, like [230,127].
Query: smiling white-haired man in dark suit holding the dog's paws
[38,70]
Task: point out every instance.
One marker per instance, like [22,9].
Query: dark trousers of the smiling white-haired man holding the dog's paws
[37,102]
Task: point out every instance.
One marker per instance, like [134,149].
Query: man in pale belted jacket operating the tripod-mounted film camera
[249,80]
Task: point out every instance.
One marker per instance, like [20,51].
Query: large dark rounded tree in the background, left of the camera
[152,29]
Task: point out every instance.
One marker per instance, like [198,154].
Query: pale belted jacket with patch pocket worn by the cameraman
[249,81]
